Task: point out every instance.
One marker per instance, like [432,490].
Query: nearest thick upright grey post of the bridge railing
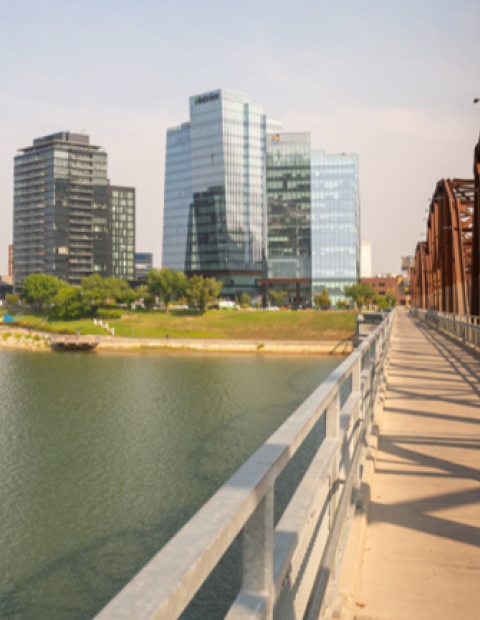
[257,542]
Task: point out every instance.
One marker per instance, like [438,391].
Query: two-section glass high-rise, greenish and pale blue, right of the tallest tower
[313,219]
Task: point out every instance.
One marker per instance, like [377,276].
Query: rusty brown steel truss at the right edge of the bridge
[446,276]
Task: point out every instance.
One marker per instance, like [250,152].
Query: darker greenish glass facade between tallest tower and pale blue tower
[288,252]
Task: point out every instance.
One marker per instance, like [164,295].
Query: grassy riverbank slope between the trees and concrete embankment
[214,324]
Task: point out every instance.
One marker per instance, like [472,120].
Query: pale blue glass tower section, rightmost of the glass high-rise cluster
[335,223]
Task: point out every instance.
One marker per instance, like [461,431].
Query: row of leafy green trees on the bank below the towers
[66,301]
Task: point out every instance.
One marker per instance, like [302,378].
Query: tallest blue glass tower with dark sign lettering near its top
[215,190]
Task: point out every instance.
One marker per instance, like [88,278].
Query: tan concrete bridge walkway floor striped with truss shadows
[422,550]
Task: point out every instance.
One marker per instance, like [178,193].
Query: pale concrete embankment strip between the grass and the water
[325,347]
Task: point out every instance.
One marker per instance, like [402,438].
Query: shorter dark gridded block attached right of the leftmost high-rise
[122,232]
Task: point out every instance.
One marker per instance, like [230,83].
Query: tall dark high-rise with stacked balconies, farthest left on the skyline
[61,212]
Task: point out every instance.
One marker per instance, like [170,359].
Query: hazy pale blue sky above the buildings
[393,82]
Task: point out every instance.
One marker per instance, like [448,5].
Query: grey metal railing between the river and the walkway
[289,570]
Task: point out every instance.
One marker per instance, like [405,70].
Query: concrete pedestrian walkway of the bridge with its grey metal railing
[385,523]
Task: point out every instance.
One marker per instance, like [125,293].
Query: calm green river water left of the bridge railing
[104,457]
